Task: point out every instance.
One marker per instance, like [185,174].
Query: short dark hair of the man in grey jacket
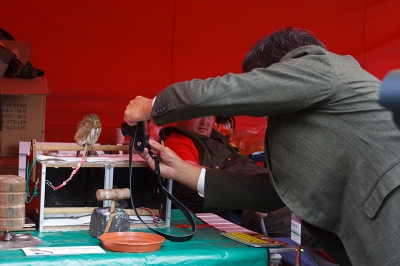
[273,47]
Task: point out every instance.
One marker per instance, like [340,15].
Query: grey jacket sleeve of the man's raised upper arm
[260,92]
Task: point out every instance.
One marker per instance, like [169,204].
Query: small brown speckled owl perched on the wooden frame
[87,133]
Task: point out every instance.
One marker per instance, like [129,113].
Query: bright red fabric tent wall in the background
[98,55]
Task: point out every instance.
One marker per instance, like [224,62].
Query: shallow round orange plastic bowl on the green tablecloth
[131,241]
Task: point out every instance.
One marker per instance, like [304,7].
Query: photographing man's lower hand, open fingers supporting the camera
[171,165]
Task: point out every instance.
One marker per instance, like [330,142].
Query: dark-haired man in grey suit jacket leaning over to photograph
[333,152]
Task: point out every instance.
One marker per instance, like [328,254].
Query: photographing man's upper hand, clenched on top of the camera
[138,109]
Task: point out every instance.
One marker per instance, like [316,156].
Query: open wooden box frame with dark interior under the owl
[44,171]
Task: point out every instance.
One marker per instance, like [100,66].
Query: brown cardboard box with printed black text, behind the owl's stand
[23,106]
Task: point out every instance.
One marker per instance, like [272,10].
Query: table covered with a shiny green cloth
[207,247]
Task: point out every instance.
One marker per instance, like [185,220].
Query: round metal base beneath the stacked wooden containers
[17,241]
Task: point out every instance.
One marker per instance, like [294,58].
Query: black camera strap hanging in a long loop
[176,202]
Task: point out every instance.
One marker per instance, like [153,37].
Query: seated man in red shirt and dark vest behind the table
[196,142]
